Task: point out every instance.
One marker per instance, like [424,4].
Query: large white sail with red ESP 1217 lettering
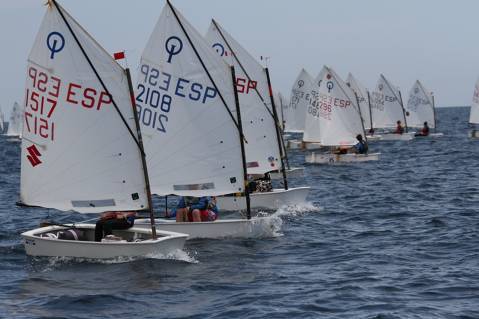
[77,152]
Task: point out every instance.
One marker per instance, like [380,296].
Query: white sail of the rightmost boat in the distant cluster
[420,108]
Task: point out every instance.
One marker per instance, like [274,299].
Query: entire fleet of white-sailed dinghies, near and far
[201,119]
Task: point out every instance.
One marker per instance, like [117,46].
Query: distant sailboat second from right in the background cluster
[387,108]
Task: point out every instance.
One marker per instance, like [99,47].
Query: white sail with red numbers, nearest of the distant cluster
[336,111]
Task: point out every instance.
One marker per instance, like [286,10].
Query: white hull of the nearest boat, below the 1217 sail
[166,243]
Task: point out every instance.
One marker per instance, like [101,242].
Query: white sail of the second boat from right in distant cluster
[386,105]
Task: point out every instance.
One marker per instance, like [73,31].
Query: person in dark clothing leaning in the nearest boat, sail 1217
[110,221]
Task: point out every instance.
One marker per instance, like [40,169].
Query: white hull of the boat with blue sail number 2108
[257,227]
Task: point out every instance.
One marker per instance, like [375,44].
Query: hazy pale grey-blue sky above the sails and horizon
[434,41]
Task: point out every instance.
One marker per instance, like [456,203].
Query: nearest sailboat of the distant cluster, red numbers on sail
[338,121]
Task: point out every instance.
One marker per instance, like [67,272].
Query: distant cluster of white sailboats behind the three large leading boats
[330,113]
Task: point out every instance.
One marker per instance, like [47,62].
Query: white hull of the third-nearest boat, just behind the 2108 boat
[267,200]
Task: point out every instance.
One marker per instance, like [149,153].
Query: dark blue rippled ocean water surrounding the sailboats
[393,239]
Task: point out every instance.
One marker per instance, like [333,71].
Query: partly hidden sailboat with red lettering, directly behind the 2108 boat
[264,150]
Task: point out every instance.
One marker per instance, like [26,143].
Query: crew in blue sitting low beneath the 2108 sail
[196,209]
